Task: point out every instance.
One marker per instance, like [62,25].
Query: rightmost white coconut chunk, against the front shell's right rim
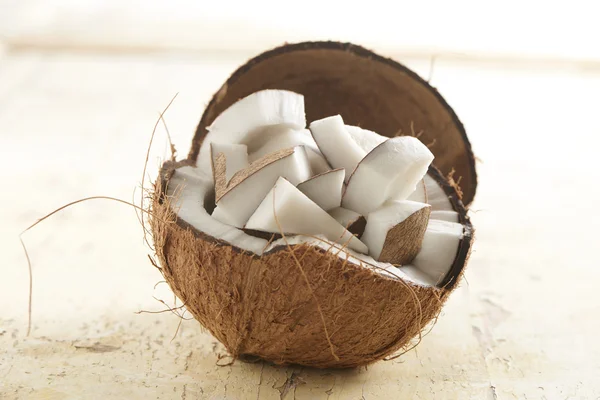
[439,248]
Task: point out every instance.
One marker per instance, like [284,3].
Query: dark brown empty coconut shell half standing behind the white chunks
[368,90]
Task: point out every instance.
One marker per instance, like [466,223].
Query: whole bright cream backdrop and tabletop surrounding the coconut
[81,83]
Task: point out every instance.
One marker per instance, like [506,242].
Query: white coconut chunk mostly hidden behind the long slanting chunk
[283,137]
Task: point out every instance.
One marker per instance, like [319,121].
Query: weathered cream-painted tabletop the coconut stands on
[524,323]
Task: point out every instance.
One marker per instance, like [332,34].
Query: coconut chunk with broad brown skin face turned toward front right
[394,232]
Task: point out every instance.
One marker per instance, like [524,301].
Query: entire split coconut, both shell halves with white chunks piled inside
[310,224]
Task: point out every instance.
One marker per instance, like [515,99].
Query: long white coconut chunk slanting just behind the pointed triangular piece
[248,187]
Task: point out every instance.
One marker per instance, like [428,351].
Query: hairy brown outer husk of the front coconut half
[297,304]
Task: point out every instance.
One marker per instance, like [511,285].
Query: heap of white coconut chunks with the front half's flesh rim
[379,171]
